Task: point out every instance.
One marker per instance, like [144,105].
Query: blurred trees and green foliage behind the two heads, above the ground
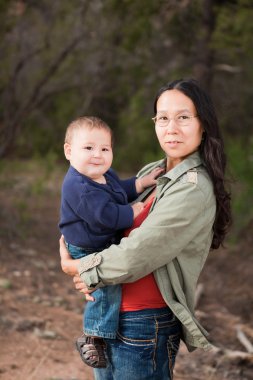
[62,59]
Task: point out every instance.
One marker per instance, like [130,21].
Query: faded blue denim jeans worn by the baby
[101,317]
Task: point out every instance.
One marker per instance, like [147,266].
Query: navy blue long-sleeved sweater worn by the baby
[92,213]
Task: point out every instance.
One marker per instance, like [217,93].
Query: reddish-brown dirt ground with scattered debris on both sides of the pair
[41,313]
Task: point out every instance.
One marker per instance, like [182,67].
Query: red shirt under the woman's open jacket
[143,293]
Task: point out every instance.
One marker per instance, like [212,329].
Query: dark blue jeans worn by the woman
[145,348]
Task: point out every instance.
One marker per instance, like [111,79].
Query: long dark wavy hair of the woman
[211,150]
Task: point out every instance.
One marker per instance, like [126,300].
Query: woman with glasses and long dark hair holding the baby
[159,263]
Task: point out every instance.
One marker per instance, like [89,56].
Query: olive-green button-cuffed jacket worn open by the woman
[173,242]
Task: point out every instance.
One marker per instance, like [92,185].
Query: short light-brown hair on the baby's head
[89,122]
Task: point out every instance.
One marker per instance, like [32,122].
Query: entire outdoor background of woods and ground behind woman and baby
[62,59]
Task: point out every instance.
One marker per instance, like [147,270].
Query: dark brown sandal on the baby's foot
[92,351]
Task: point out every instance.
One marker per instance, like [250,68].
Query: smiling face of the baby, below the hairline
[90,152]
